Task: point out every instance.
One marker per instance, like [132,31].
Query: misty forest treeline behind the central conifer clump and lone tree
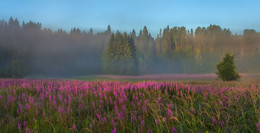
[29,49]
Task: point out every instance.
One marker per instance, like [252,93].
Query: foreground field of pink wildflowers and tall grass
[113,106]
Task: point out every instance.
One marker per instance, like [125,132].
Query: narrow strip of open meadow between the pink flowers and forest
[246,80]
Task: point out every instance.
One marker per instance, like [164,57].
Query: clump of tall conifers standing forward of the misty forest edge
[120,56]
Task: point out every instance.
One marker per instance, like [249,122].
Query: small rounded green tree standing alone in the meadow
[226,69]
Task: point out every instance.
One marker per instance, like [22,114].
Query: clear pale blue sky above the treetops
[125,15]
